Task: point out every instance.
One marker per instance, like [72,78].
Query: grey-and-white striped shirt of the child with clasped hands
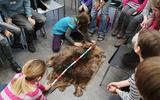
[133,94]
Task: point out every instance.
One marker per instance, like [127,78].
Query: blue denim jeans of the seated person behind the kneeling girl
[103,19]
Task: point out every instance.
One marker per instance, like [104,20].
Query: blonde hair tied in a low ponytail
[32,70]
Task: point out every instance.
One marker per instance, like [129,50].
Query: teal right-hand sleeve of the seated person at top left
[27,7]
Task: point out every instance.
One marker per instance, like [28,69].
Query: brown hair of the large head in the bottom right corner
[148,78]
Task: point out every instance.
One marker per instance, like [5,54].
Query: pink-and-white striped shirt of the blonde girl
[8,94]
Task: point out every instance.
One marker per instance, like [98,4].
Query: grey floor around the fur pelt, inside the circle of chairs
[93,91]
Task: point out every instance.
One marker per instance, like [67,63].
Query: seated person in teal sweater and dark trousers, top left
[21,14]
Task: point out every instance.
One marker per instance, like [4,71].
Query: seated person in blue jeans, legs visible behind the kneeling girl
[97,5]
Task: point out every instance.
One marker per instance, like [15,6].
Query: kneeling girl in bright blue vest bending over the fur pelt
[64,27]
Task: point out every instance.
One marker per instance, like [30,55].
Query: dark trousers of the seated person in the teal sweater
[22,21]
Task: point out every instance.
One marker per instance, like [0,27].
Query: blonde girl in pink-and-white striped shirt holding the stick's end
[25,85]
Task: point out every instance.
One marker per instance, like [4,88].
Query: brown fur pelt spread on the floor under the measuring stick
[81,72]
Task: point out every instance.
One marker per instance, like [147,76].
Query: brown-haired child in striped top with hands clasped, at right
[147,45]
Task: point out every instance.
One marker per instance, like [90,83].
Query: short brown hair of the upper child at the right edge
[149,42]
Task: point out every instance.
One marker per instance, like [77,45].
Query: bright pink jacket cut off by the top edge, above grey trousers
[140,8]
